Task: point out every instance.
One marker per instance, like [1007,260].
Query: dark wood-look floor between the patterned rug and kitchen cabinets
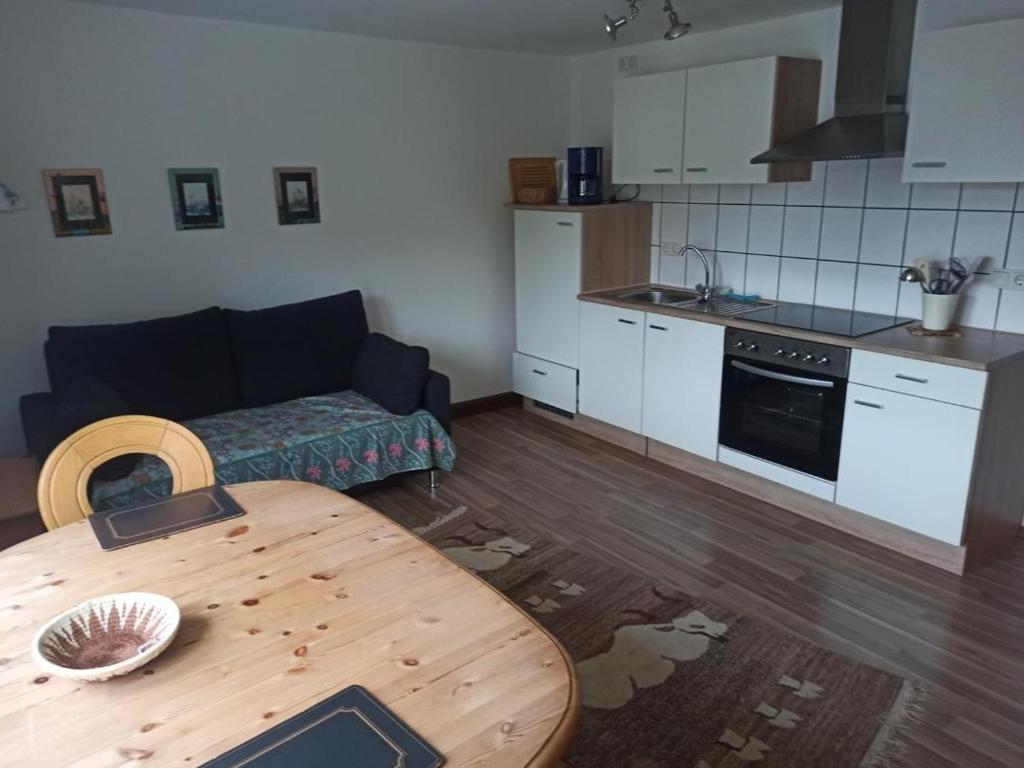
[964,636]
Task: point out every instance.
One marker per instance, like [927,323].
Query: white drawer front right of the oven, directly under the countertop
[961,387]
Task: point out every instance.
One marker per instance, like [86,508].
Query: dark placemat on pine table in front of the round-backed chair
[122,528]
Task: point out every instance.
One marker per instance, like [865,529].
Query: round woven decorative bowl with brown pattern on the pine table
[107,636]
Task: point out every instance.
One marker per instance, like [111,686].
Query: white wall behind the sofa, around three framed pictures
[411,143]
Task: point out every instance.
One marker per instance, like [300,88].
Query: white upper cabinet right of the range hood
[967,105]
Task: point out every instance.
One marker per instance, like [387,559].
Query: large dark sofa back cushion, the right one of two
[296,351]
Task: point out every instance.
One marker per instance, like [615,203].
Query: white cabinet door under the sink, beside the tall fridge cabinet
[612,365]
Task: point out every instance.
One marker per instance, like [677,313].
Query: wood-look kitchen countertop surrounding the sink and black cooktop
[978,350]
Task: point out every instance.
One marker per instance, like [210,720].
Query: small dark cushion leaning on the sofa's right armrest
[392,374]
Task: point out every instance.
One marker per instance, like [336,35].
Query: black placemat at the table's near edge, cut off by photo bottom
[352,730]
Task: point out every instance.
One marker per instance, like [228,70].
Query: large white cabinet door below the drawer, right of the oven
[908,460]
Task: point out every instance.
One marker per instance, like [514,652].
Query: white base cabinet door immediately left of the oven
[682,383]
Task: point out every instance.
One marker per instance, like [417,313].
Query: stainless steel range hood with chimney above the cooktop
[876,40]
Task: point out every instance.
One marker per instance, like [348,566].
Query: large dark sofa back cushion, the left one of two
[175,368]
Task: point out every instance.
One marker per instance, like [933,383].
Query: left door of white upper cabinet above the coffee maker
[648,145]
